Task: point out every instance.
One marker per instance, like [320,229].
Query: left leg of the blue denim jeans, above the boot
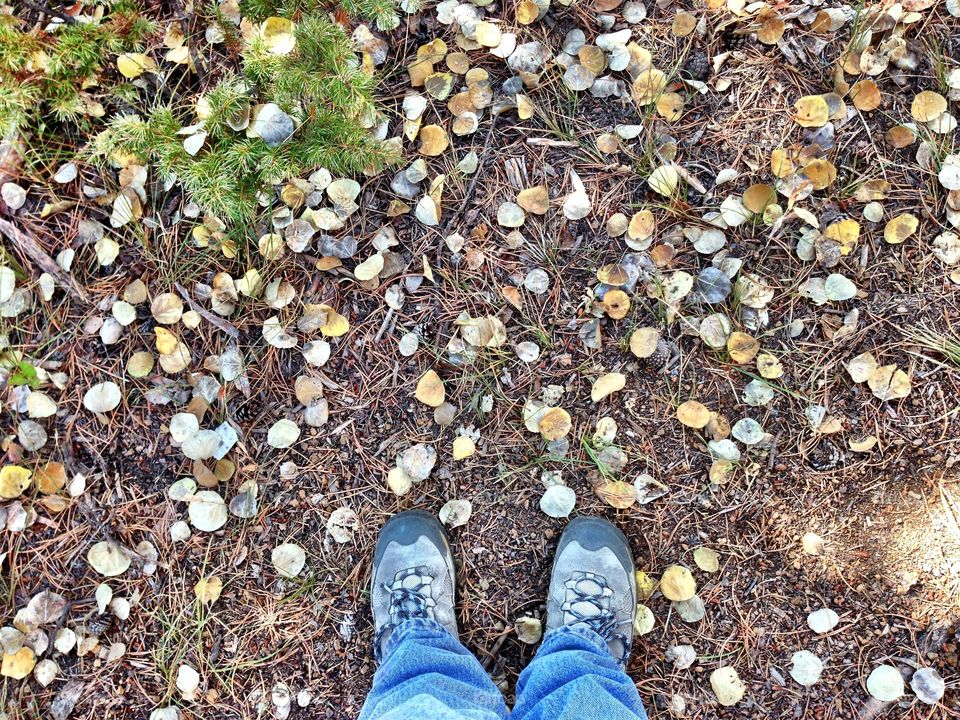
[426,674]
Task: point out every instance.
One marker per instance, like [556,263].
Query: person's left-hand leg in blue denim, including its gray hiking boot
[425,673]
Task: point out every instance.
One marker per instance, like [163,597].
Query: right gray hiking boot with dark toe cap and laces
[593,584]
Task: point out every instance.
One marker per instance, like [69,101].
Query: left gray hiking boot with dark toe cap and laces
[412,577]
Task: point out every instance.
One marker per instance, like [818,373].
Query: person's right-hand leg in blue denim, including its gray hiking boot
[578,672]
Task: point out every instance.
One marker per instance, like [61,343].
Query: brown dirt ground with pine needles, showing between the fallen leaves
[888,557]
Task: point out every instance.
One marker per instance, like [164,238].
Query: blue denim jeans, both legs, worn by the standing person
[426,674]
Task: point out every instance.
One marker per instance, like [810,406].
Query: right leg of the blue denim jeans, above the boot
[574,677]
